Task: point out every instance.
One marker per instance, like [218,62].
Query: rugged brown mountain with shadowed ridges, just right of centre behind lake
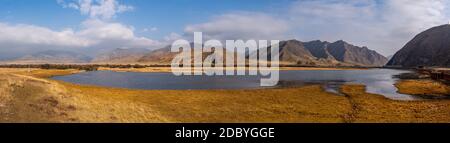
[322,53]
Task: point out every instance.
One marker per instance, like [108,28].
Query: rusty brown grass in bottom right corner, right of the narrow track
[375,108]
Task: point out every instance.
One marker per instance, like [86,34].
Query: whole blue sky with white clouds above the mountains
[94,25]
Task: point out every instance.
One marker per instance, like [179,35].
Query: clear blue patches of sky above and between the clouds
[166,15]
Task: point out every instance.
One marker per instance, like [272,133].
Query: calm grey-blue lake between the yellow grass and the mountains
[378,81]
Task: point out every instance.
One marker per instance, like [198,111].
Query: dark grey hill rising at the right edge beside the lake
[429,48]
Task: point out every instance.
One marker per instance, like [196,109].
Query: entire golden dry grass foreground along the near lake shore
[31,97]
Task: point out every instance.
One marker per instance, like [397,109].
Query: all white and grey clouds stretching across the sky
[381,25]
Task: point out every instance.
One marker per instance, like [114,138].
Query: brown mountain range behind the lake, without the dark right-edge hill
[292,52]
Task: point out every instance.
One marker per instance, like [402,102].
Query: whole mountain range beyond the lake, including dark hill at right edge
[428,48]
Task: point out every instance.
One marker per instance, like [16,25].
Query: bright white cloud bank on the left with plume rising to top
[95,34]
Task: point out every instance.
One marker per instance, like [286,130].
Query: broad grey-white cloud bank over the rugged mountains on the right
[381,25]
